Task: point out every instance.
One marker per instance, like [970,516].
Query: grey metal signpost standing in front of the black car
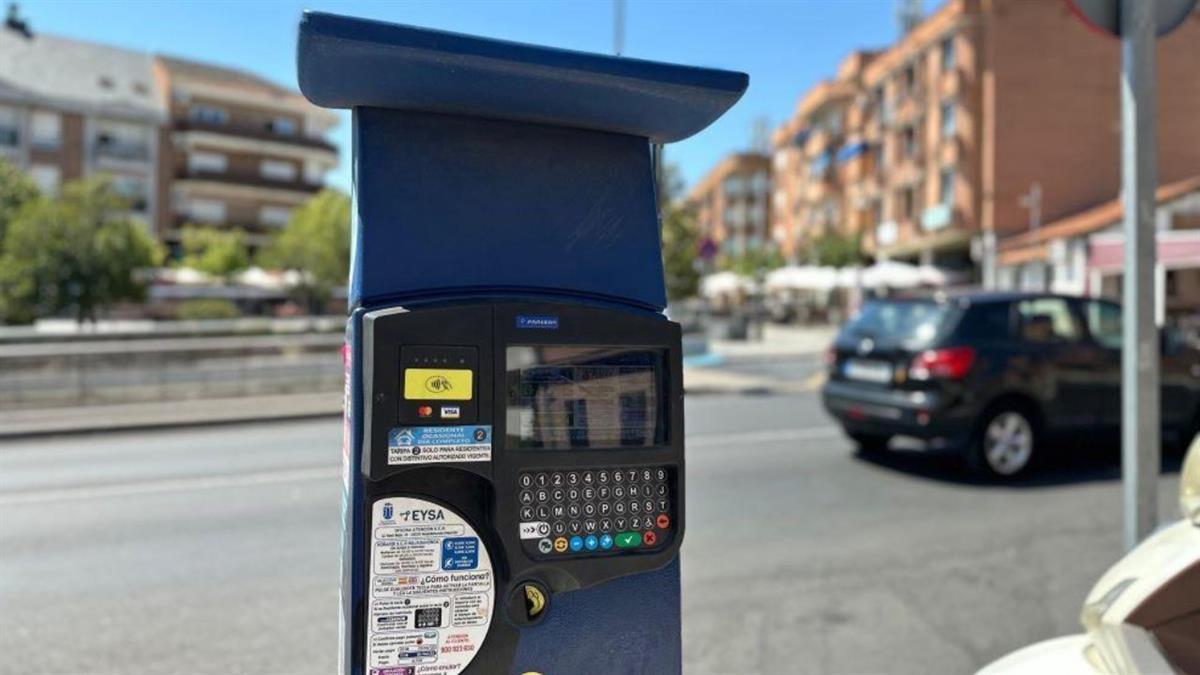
[1139,353]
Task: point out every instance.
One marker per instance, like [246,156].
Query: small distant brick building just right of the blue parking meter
[731,204]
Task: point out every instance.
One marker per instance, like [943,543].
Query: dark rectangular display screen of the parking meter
[563,397]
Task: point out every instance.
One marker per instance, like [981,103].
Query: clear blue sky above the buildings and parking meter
[785,45]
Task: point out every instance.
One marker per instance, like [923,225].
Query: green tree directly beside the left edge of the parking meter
[317,244]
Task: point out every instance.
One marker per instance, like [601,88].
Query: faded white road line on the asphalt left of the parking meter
[170,486]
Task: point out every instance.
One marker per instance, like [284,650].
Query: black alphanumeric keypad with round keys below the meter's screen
[589,512]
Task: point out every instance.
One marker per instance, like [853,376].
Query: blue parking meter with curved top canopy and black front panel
[515,451]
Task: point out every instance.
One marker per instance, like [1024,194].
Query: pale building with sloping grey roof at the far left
[71,110]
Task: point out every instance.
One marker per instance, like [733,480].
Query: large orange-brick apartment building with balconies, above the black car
[986,118]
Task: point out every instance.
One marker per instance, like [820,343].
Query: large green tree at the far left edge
[79,254]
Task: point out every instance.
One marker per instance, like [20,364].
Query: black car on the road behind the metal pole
[997,377]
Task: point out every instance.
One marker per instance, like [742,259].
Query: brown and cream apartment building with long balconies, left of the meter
[241,151]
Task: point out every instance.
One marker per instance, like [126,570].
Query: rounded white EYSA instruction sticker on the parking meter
[433,590]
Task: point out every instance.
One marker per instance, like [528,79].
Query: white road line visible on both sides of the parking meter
[164,486]
